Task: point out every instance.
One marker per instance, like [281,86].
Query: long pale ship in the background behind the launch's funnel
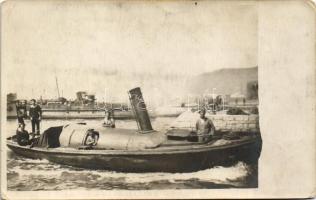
[85,107]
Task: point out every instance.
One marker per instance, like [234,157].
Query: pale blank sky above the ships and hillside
[113,46]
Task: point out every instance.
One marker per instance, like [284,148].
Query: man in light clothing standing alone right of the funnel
[204,127]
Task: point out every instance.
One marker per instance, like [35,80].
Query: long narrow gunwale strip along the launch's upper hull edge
[162,151]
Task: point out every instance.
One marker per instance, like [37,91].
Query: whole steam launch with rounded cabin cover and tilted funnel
[142,150]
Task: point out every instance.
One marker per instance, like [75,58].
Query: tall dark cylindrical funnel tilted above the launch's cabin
[140,110]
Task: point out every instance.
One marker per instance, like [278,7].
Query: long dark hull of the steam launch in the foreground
[161,160]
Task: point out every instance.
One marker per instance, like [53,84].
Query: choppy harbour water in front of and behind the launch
[31,175]
